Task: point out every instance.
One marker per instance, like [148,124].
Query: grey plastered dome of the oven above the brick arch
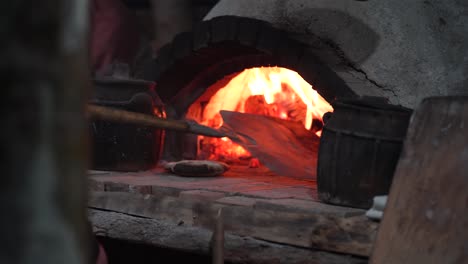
[403,50]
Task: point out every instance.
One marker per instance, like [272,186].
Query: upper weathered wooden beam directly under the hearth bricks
[322,226]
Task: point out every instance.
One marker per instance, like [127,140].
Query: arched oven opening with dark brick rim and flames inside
[243,65]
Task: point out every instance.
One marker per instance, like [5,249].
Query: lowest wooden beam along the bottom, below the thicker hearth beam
[195,239]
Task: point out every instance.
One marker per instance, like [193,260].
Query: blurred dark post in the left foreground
[44,84]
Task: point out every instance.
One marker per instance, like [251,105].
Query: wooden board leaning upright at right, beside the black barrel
[426,218]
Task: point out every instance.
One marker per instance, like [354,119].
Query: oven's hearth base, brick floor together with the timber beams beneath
[256,205]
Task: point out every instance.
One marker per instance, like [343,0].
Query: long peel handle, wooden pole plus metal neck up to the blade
[127,117]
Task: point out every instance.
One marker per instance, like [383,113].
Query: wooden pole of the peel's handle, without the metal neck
[127,117]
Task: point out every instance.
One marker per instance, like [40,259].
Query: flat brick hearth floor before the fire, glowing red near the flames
[238,181]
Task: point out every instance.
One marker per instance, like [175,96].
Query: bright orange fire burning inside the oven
[270,91]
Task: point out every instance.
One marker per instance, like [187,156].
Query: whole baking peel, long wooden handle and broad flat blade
[277,144]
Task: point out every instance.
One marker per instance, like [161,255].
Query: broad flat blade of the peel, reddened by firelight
[277,144]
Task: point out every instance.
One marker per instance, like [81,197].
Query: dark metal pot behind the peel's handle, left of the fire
[125,147]
